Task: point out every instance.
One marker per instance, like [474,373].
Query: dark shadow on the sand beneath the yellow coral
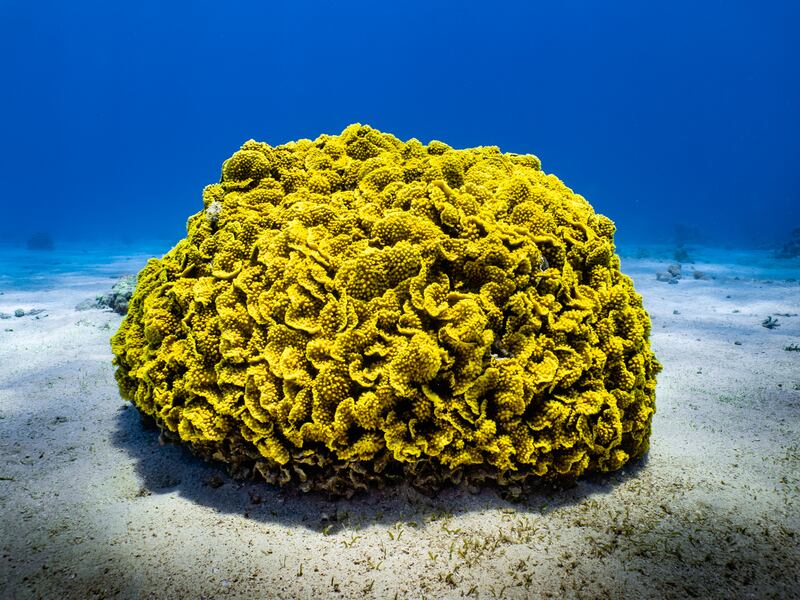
[170,468]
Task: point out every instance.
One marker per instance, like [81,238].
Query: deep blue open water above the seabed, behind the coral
[115,117]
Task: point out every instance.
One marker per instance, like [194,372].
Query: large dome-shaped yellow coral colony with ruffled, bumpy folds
[358,308]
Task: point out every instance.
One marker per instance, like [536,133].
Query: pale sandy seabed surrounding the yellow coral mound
[91,506]
